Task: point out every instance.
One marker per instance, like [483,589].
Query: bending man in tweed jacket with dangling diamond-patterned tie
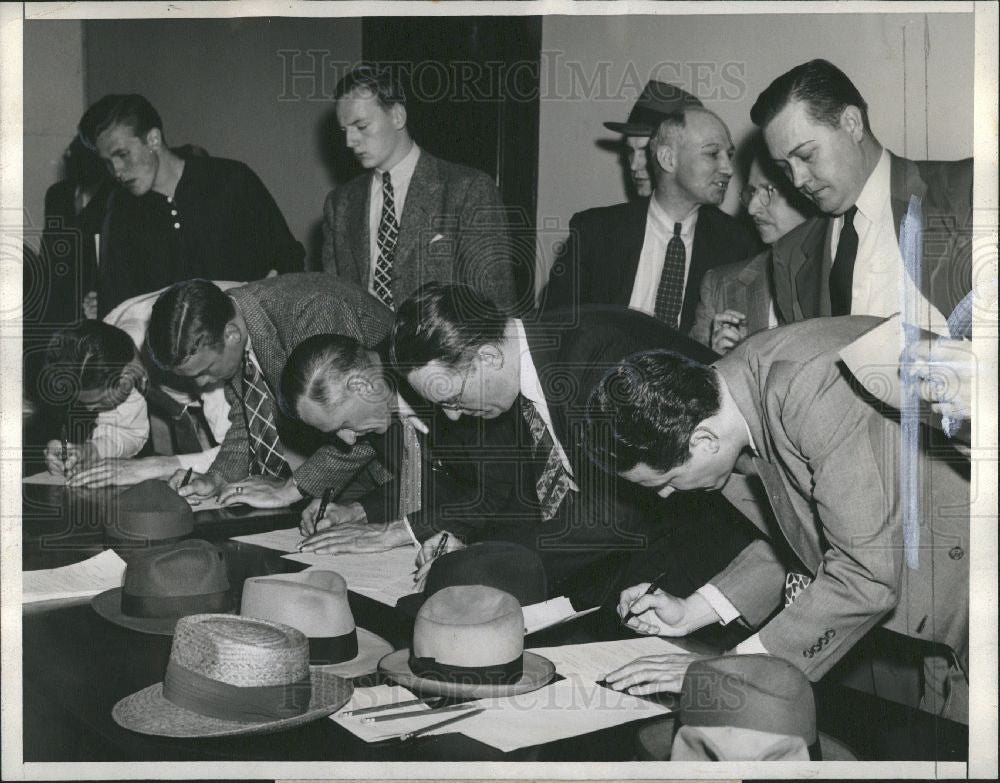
[240,339]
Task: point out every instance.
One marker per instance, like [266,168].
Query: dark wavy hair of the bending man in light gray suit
[647,408]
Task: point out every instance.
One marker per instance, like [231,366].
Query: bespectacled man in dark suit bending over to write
[539,375]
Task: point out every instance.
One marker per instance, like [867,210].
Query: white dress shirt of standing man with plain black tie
[881,285]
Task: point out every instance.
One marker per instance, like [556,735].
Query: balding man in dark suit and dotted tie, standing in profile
[651,255]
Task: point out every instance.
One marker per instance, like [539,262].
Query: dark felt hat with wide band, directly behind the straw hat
[165,583]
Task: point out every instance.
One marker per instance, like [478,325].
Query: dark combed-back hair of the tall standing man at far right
[821,85]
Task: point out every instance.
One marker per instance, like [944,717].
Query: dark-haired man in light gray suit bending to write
[855,548]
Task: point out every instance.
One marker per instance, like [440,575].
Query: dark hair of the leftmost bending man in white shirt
[87,357]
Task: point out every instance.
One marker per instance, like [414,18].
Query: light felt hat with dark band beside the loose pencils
[468,641]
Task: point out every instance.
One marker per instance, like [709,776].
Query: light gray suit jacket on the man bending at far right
[830,460]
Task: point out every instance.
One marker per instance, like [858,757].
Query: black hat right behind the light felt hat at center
[510,567]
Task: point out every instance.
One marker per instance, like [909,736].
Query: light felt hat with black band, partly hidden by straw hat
[315,602]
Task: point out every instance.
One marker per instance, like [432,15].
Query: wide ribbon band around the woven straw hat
[255,704]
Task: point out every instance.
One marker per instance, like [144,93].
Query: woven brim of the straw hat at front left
[148,712]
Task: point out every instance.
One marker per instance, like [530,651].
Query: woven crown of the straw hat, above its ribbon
[241,651]
